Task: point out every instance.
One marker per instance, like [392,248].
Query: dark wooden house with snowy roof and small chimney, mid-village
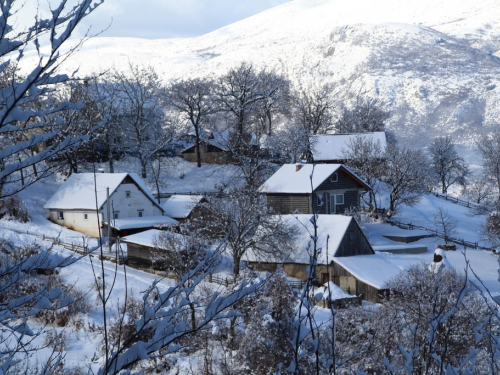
[318,188]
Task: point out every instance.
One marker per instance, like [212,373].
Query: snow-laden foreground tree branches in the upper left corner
[25,139]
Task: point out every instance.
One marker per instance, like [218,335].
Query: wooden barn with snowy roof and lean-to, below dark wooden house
[346,256]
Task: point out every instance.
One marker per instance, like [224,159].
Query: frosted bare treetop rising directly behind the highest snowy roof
[366,116]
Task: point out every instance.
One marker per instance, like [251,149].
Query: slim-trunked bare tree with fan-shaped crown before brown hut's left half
[193,100]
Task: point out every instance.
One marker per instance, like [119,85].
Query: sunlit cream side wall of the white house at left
[75,219]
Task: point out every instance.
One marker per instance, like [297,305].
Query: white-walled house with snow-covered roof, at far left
[81,202]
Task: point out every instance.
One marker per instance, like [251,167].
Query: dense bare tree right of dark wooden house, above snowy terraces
[406,176]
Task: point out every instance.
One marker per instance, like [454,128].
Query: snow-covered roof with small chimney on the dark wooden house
[288,179]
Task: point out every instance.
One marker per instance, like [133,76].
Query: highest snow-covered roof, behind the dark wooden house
[331,146]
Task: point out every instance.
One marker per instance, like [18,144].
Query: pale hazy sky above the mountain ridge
[157,19]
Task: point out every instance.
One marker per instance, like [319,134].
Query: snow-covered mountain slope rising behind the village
[432,63]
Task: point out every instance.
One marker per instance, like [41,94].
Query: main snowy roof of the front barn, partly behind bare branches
[332,227]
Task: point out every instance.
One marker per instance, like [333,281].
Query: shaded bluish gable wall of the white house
[130,207]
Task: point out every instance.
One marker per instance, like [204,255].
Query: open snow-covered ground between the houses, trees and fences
[82,344]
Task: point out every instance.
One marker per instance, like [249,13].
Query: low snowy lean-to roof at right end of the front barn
[372,269]
